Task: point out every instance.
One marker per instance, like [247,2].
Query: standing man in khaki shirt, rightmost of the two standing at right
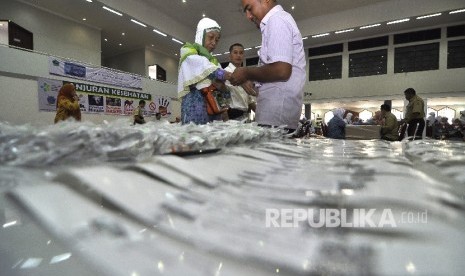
[415,114]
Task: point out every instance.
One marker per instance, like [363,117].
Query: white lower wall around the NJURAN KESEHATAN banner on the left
[19,71]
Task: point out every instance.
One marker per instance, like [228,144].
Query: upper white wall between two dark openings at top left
[53,34]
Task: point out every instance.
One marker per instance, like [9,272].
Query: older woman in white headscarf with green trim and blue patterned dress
[200,73]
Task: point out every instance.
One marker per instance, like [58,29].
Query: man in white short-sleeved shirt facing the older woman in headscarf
[281,73]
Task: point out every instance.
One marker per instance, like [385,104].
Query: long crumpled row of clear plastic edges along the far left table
[69,141]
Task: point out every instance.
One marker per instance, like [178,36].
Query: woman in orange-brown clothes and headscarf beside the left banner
[67,104]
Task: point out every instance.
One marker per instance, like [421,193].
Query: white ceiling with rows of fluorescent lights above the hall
[177,17]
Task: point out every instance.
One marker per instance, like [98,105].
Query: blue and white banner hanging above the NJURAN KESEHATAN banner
[71,69]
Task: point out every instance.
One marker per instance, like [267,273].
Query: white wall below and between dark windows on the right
[390,86]
